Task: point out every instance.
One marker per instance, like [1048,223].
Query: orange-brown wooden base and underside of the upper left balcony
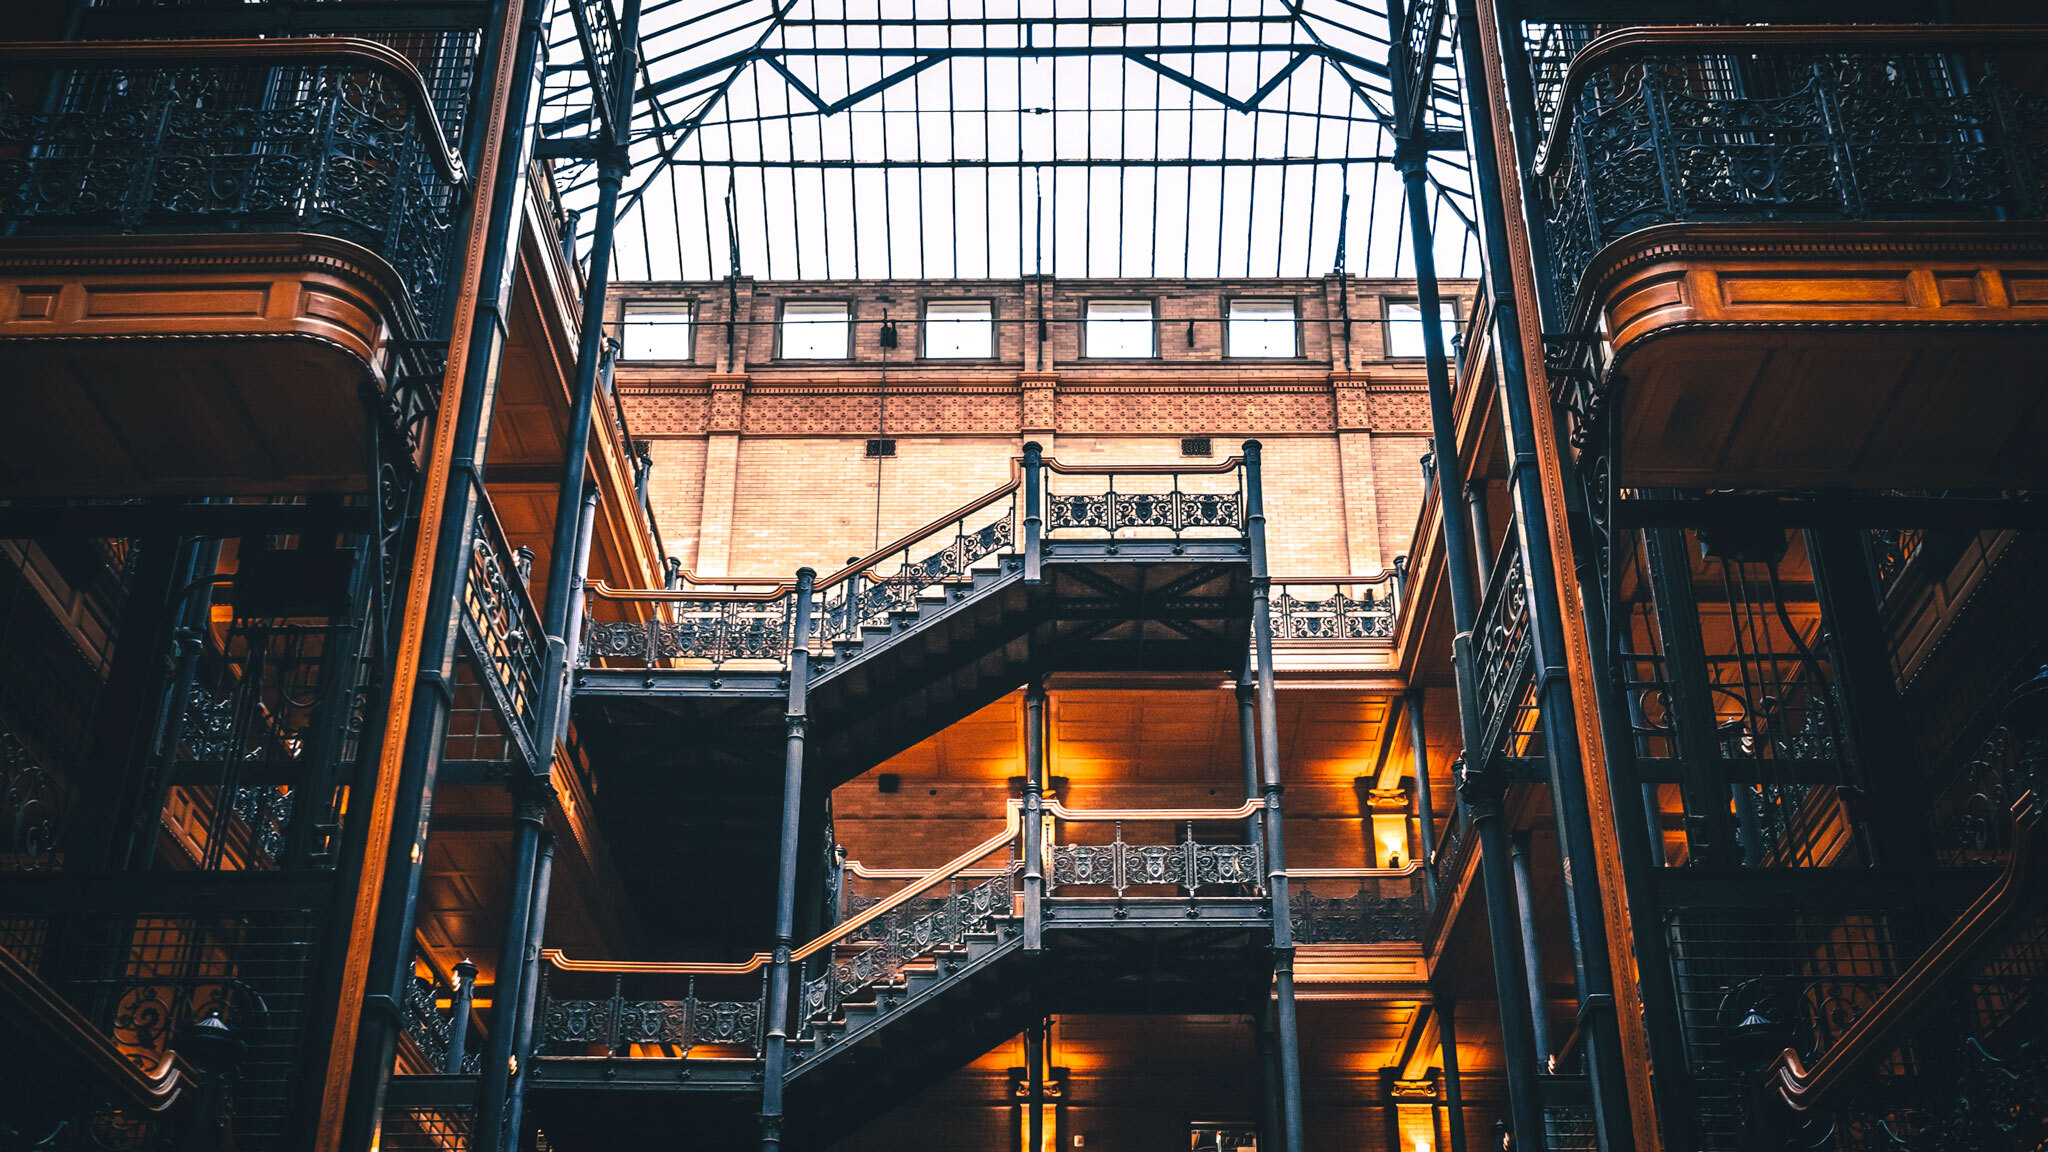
[191,364]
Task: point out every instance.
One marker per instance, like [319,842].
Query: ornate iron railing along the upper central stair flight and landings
[724,620]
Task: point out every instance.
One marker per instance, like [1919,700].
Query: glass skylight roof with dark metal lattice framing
[990,138]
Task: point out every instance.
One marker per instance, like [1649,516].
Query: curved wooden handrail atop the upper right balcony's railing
[1764,38]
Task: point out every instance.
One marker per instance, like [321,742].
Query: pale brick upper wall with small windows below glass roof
[761,464]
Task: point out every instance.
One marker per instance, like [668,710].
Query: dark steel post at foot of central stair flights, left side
[775,1051]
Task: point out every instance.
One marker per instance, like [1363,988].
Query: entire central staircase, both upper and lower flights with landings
[683,704]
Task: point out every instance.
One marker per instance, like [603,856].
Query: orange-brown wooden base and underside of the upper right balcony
[1828,356]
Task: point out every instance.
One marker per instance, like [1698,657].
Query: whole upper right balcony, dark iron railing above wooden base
[1805,257]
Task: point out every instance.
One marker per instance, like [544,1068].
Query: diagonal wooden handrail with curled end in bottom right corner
[1877,1032]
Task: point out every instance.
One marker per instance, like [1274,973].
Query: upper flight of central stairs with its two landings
[1060,569]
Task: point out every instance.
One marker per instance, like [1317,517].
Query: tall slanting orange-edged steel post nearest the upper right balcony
[1584,915]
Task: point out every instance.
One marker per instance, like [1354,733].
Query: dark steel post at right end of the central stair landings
[1277,891]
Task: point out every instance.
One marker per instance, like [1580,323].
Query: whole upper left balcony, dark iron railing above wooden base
[222,263]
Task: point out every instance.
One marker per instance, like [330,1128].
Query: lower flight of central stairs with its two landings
[910,989]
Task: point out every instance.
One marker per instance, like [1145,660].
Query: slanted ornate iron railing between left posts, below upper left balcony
[505,634]
